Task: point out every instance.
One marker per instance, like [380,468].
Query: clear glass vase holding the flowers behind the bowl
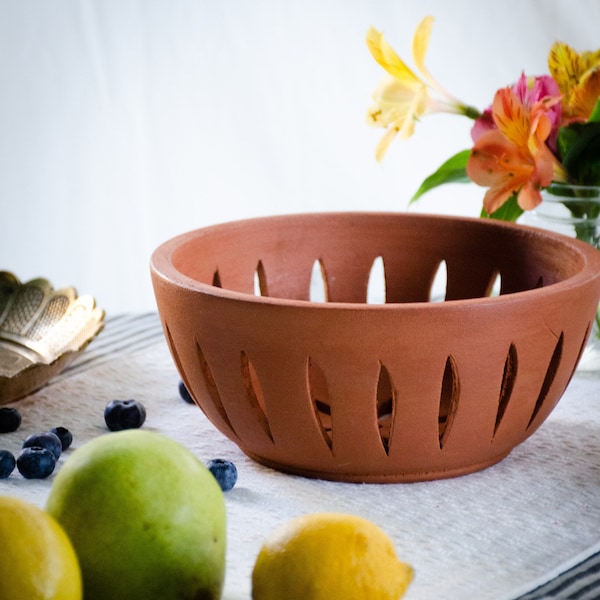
[574,210]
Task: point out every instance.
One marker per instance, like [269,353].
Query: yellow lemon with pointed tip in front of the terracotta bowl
[329,556]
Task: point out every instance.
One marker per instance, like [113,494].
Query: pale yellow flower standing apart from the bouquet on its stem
[403,97]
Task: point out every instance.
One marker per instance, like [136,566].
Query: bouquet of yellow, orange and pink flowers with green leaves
[538,140]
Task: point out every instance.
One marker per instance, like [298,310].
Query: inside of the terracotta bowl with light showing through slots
[341,256]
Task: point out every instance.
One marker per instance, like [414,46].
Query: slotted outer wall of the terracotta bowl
[352,343]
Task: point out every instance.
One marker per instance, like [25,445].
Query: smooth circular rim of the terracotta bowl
[161,265]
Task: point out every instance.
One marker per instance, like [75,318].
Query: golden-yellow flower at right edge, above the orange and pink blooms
[578,79]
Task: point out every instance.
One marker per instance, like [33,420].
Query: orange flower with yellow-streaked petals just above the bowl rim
[514,159]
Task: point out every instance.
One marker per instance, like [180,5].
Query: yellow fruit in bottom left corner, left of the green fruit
[37,561]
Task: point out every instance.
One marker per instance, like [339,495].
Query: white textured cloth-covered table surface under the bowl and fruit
[532,520]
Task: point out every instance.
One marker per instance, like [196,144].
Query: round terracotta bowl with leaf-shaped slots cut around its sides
[347,390]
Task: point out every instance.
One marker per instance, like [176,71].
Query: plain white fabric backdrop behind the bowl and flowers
[126,122]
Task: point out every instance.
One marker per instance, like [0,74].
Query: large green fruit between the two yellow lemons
[145,516]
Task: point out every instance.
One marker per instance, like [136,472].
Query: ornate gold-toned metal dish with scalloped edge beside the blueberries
[42,330]
